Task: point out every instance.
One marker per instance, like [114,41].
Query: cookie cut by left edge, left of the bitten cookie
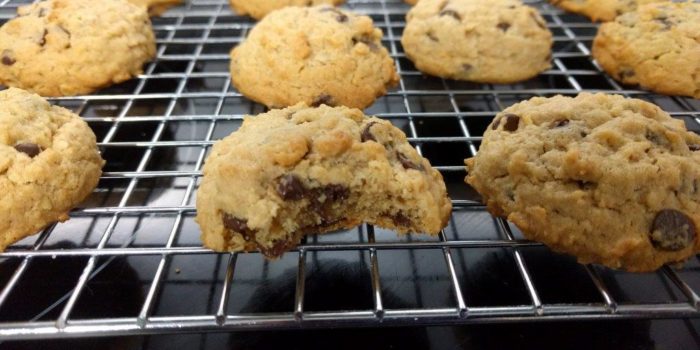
[49,162]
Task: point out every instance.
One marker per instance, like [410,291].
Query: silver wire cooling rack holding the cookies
[129,260]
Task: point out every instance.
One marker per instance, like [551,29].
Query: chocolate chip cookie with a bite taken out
[300,170]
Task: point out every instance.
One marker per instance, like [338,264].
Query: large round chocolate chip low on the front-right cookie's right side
[672,230]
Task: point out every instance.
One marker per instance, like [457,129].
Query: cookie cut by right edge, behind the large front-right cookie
[656,47]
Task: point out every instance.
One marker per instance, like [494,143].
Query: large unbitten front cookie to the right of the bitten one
[610,180]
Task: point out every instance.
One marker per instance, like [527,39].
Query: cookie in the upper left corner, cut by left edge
[72,47]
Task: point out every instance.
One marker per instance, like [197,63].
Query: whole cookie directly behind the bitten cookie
[317,55]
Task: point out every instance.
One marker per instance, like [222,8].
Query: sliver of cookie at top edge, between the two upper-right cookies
[601,10]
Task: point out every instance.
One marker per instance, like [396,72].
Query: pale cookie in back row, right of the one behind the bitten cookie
[486,41]
